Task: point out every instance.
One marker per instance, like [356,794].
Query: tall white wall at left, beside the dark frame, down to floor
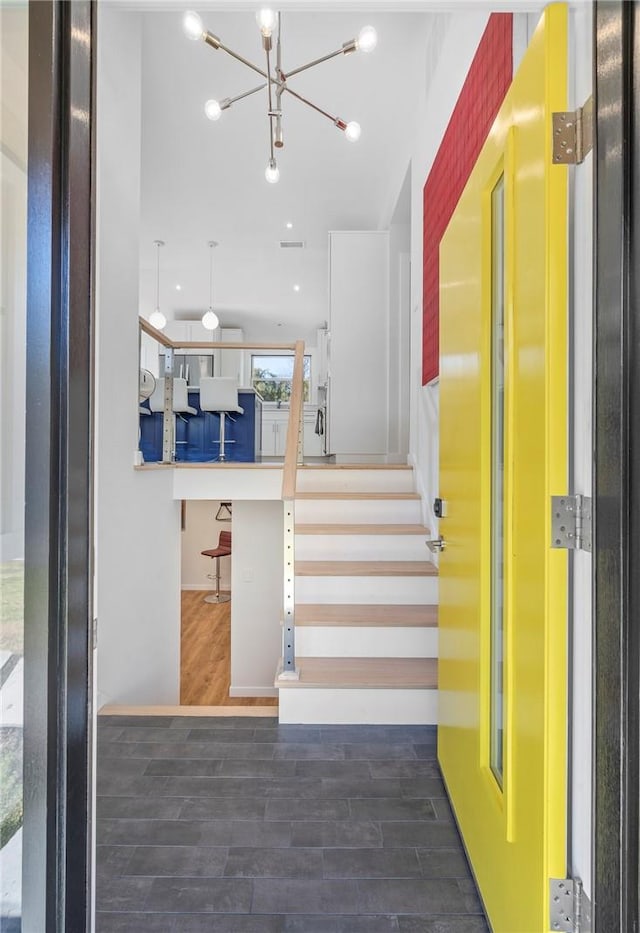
[137,521]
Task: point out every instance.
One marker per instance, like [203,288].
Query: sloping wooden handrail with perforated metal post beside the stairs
[294,456]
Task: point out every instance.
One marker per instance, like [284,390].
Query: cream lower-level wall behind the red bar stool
[201,532]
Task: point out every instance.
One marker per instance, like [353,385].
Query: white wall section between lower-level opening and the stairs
[256,606]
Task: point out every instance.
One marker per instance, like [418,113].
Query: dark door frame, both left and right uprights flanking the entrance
[59,563]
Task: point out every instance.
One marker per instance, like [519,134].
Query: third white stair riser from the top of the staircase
[361,547]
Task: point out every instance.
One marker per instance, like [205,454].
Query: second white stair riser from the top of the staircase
[358,511]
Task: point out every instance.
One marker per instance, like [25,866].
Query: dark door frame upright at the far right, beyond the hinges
[616,569]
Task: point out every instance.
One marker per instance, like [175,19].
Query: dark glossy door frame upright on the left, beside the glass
[57,851]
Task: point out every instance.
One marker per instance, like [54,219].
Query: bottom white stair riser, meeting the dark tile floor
[362,705]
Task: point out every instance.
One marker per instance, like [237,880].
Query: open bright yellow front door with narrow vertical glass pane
[503,454]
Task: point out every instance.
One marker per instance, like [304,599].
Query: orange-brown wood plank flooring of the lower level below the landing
[205,658]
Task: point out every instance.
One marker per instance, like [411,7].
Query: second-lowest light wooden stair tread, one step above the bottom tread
[376,614]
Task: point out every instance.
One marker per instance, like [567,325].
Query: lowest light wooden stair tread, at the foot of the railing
[372,673]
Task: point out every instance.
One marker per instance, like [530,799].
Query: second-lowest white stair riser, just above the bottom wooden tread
[335,641]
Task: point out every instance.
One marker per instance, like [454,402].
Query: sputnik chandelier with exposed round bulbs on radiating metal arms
[277,81]
